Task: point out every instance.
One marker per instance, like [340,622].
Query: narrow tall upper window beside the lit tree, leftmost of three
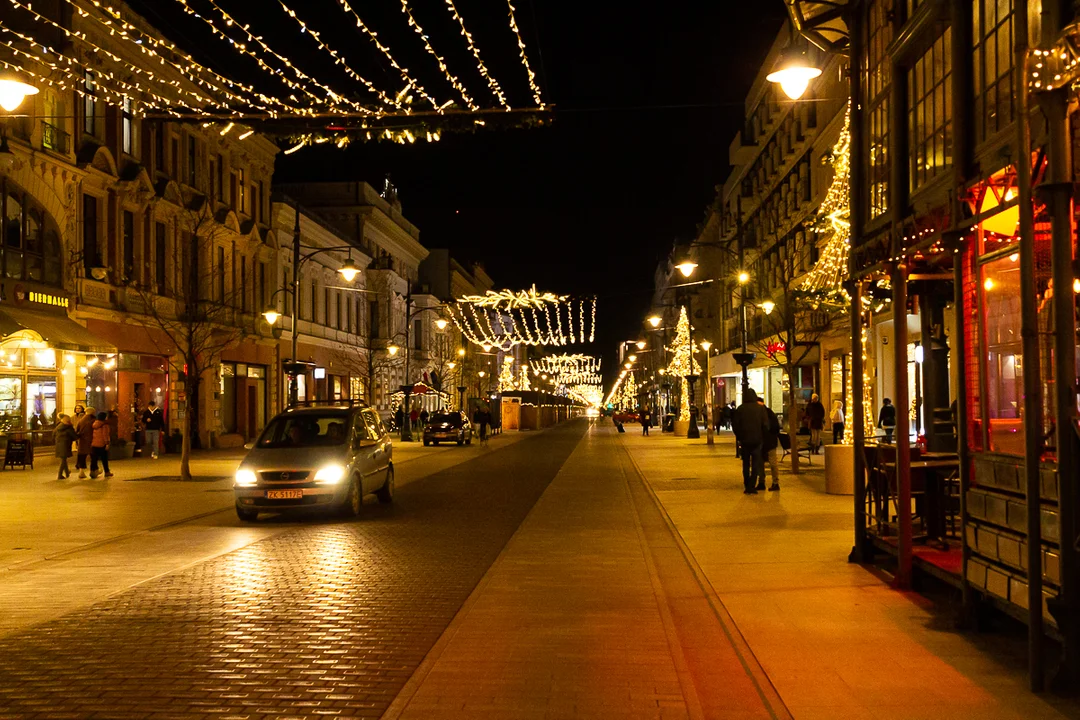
[876,81]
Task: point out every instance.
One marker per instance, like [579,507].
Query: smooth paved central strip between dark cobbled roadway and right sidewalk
[590,613]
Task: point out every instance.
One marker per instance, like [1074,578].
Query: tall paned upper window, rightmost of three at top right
[993,65]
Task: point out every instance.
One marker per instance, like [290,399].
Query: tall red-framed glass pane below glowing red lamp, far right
[1001,283]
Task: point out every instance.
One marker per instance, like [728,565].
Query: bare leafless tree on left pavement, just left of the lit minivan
[198,319]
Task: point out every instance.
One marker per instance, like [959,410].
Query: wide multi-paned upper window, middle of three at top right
[930,113]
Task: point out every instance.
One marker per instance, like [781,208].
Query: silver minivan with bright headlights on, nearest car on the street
[312,458]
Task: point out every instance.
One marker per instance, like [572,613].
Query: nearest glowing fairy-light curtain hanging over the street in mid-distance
[507,319]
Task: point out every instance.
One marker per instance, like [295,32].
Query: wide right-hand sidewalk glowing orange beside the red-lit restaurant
[834,640]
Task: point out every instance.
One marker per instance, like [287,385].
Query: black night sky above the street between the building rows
[646,104]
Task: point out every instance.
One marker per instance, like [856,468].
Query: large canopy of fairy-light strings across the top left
[99,56]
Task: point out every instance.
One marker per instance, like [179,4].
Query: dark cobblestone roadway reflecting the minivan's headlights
[327,620]
